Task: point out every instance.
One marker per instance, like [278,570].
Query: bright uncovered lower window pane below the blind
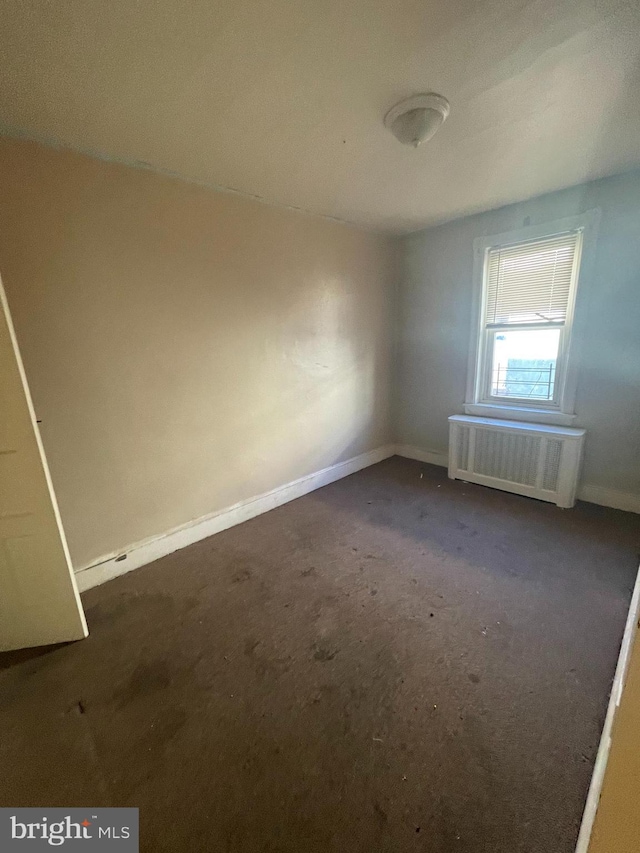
[524,364]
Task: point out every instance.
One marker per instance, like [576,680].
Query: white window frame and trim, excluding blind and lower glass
[560,410]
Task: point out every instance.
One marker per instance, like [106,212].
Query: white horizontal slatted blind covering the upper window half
[531,282]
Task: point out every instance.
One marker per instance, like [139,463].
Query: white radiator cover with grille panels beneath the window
[535,460]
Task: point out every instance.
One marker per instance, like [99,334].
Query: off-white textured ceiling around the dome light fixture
[284,99]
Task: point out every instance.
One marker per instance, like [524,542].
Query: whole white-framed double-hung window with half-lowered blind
[521,364]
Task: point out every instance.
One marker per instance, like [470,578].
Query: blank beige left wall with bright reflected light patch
[185,349]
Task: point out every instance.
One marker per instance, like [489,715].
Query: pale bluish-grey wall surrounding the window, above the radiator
[435,322]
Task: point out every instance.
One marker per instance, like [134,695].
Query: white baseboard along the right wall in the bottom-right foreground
[597,779]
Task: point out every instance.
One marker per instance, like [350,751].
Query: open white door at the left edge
[39,601]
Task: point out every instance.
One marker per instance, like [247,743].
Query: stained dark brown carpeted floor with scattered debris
[395,662]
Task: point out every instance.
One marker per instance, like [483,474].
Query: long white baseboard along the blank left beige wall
[141,553]
